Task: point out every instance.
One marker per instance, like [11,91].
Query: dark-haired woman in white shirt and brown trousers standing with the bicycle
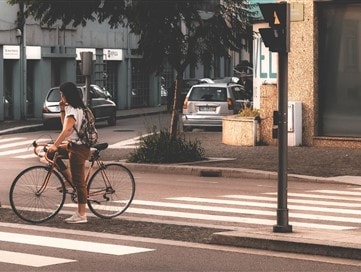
[69,145]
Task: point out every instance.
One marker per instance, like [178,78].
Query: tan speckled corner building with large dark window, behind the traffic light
[324,70]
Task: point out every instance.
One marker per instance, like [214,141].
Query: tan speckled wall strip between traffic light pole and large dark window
[302,80]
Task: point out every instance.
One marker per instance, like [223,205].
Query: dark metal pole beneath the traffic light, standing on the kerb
[282,210]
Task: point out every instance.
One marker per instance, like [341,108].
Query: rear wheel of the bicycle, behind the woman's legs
[111,190]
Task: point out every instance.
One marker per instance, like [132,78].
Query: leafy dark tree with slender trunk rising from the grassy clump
[181,32]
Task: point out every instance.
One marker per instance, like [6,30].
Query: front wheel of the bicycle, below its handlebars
[35,194]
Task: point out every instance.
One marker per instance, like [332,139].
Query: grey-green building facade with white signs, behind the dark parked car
[40,57]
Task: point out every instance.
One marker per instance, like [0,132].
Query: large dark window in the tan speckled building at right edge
[339,32]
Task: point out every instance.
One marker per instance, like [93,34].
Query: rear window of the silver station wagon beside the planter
[208,94]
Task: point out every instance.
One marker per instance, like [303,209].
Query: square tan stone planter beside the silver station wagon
[240,131]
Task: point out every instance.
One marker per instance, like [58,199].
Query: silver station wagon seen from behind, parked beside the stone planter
[206,104]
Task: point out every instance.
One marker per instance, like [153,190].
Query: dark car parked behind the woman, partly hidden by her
[102,107]
